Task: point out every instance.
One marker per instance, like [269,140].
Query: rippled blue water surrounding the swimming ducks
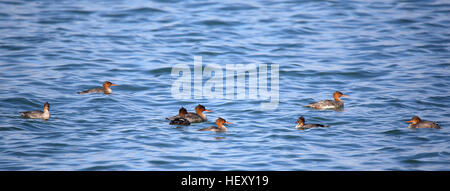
[391,57]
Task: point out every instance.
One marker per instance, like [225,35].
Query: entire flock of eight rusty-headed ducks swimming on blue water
[185,118]
